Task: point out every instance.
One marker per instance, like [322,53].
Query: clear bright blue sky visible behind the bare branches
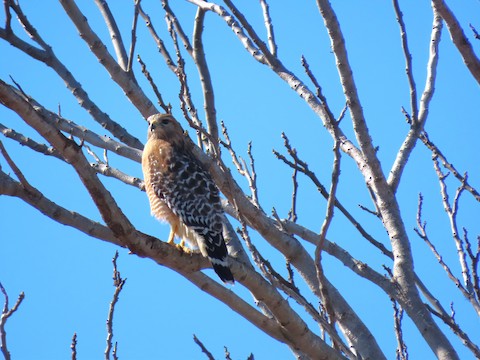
[66,276]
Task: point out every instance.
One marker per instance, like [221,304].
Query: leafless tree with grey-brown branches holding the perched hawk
[341,331]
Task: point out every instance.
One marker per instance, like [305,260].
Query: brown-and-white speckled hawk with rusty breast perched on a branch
[183,193]
